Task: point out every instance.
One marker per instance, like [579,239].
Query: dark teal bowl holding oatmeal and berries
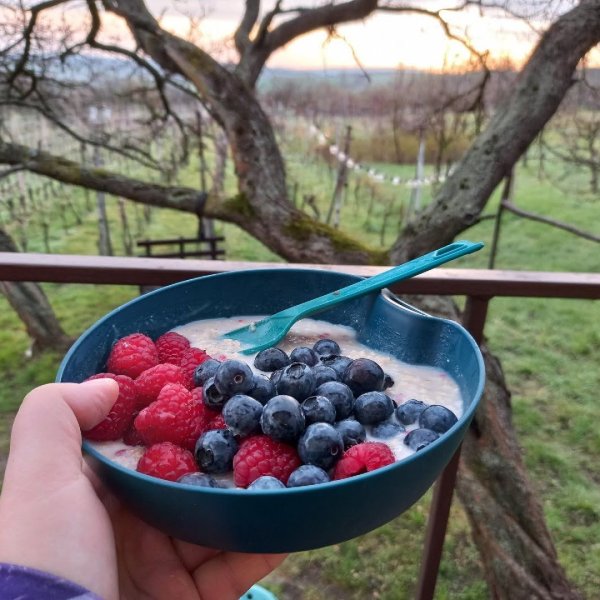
[299,518]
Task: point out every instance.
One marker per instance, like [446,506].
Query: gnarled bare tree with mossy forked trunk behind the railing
[176,67]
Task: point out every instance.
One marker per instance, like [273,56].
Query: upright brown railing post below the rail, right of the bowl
[474,317]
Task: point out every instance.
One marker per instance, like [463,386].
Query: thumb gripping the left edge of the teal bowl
[46,434]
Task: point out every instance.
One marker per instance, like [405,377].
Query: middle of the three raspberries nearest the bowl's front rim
[260,455]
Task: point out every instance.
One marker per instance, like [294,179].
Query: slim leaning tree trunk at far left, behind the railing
[31,304]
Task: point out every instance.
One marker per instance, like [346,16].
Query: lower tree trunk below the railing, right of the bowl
[506,517]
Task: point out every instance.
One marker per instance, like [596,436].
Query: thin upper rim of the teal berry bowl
[463,420]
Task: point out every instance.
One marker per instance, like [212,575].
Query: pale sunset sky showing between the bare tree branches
[384,40]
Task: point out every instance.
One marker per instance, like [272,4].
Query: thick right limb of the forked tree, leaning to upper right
[540,88]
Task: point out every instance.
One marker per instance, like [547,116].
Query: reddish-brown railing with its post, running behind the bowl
[479,286]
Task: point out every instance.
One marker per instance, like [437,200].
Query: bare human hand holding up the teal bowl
[56,517]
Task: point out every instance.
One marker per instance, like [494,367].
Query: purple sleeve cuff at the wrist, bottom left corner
[23,583]
